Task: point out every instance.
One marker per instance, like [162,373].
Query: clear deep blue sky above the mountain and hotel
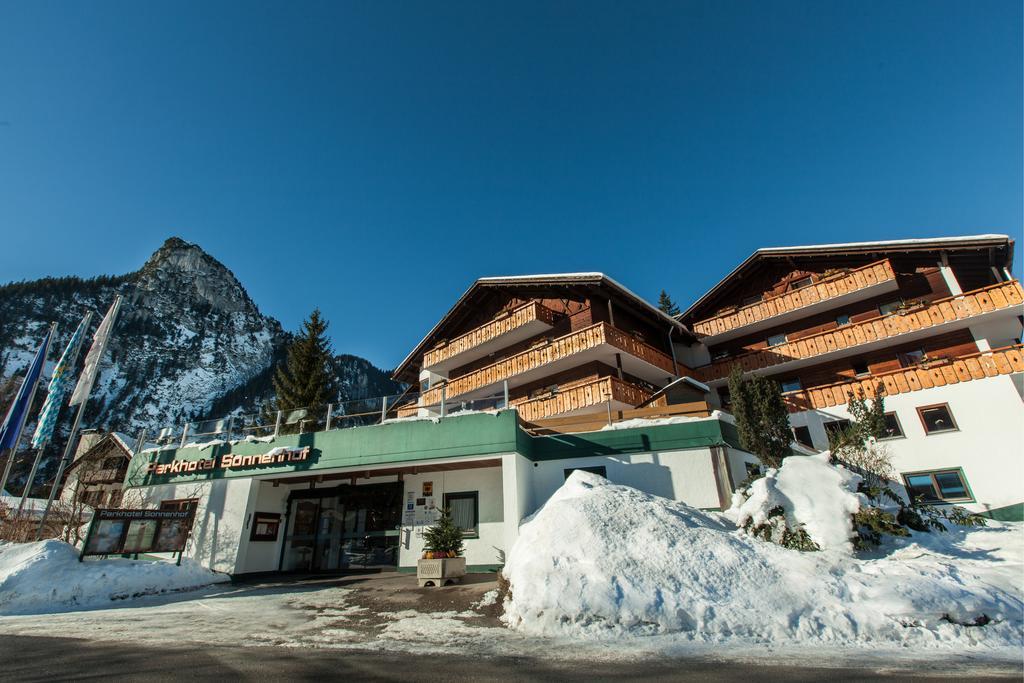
[374,158]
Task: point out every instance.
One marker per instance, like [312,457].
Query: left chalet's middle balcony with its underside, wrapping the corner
[641,359]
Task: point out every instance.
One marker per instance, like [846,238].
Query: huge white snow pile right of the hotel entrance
[607,561]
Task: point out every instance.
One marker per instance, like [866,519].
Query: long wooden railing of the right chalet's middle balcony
[969,305]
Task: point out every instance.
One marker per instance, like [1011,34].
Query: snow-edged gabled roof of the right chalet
[1003,243]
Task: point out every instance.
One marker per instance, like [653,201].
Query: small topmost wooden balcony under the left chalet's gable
[526,322]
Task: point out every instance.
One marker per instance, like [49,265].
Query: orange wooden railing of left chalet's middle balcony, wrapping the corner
[575,343]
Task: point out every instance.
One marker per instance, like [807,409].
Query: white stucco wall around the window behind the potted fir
[489,548]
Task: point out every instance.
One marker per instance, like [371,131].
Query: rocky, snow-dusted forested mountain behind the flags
[189,343]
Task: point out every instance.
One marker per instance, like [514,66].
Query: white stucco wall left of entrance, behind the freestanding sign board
[218,533]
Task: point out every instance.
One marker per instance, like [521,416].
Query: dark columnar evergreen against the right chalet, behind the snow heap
[761,417]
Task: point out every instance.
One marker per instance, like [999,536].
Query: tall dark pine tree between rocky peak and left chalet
[307,379]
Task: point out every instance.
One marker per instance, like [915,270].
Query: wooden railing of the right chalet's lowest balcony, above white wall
[925,376]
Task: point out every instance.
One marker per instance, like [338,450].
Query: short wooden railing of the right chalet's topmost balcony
[827,288]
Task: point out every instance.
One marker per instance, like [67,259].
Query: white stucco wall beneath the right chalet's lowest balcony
[990,415]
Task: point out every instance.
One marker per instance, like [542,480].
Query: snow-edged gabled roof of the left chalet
[553,280]
